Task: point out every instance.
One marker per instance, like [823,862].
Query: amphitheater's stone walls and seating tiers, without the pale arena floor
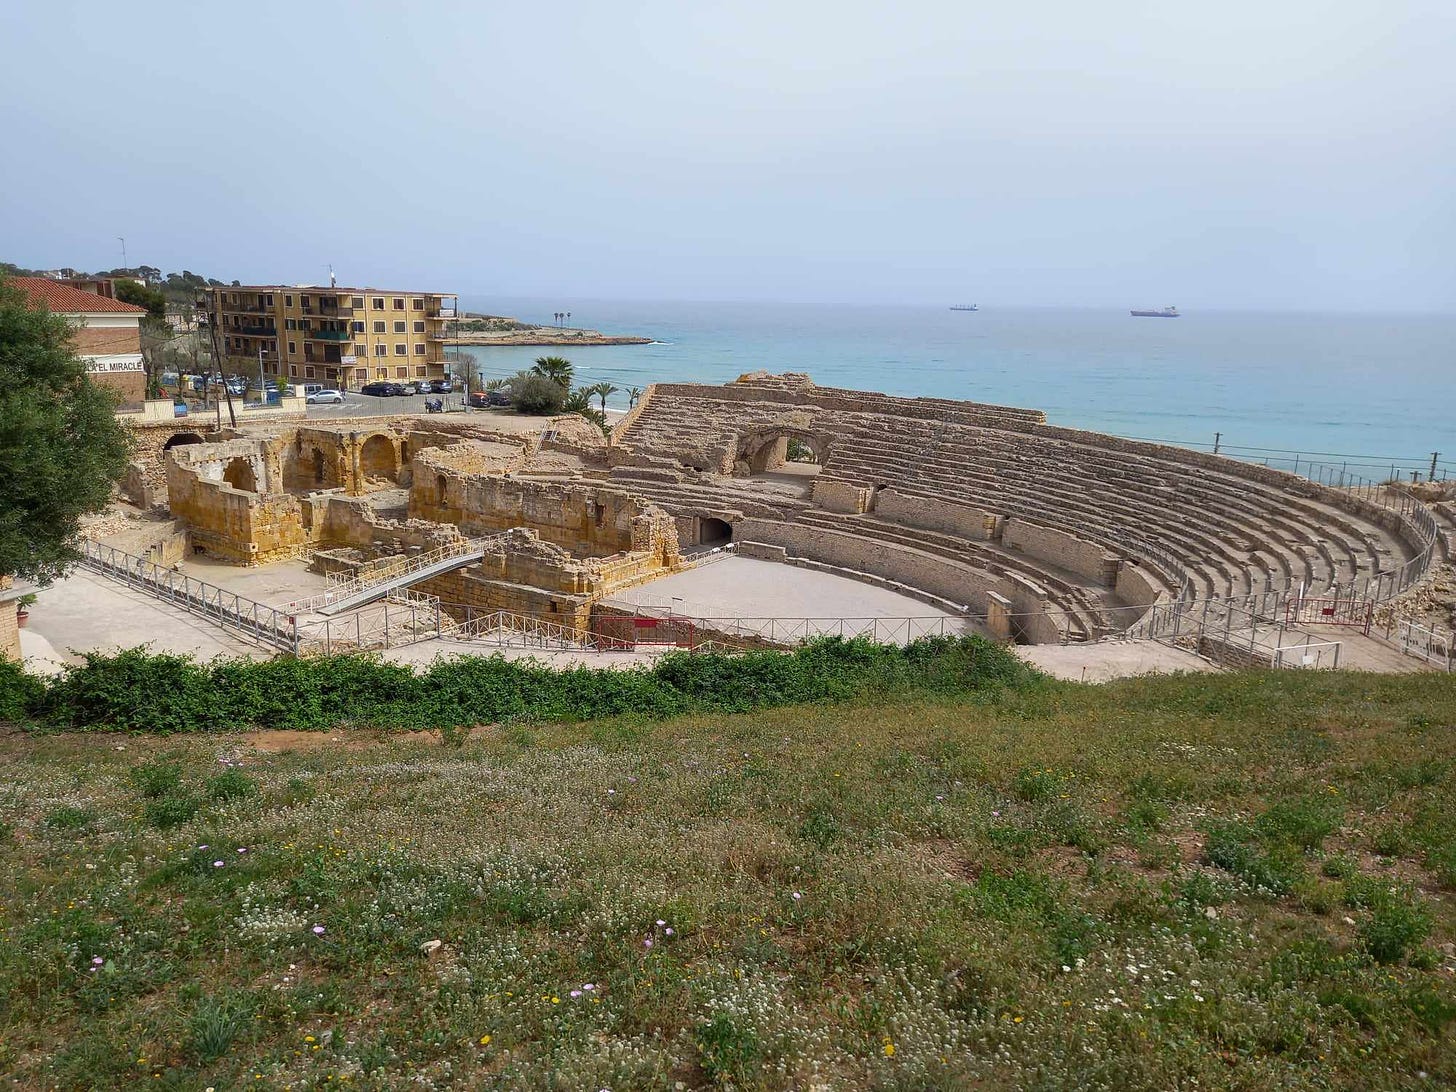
[1036,534]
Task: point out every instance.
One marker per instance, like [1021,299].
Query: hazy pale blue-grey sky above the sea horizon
[1273,154]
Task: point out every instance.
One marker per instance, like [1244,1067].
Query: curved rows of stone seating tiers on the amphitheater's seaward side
[1231,528]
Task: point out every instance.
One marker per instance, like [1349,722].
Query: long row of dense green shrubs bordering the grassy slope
[142,692]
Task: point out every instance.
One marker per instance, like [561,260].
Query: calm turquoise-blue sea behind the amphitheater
[1374,391]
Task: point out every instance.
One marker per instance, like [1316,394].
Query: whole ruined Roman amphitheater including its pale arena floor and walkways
[976,518]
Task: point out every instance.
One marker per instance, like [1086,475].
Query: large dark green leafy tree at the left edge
[62,448]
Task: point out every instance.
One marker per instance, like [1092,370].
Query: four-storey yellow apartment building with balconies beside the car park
[339,337]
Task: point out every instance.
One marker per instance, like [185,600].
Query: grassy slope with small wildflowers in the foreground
[1215,882]
